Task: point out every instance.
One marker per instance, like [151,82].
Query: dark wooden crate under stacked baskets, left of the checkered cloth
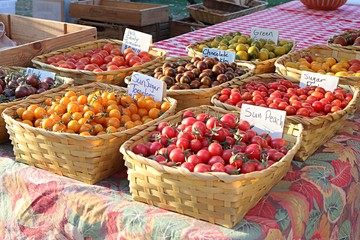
[185,25]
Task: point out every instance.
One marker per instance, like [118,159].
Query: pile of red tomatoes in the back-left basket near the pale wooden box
[107,58]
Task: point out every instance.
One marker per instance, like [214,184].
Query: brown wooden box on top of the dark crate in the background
[134,14]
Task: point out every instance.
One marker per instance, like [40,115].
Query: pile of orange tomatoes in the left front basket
[97,113]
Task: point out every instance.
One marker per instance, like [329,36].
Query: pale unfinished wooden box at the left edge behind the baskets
[35,36]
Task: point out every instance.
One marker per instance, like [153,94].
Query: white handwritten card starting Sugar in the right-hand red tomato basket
[327,82]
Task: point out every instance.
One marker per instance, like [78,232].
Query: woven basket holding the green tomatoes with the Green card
[267,66]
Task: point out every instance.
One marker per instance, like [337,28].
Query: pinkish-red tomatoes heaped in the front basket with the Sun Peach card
[206,143]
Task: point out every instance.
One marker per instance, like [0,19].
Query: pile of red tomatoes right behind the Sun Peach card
[310,101]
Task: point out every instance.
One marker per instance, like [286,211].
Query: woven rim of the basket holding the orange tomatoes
[6,116]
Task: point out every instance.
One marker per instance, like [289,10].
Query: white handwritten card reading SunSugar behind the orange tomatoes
[147,85]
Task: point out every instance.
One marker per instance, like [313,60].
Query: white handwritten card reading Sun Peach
[265,120]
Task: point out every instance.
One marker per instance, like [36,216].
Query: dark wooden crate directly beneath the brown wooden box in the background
[159,31]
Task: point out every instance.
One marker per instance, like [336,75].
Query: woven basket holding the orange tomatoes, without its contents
[85,158]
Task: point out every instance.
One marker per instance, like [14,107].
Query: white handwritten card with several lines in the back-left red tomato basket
[136,40]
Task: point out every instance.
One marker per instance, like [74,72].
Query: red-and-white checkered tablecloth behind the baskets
[293,20]
